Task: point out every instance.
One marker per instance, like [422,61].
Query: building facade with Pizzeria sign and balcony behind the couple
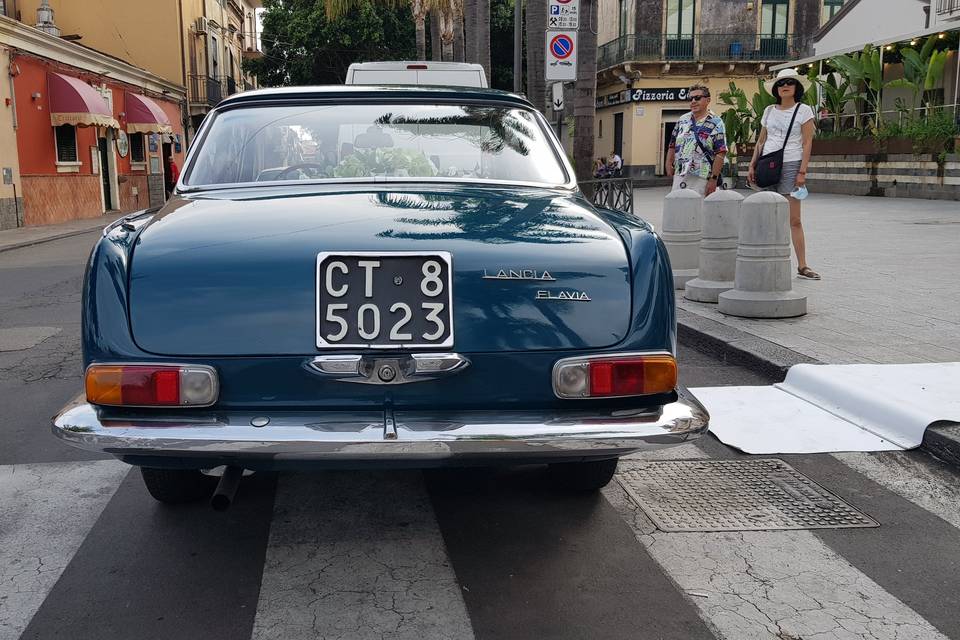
[654,49]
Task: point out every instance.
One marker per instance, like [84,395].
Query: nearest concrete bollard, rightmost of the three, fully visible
[763,286]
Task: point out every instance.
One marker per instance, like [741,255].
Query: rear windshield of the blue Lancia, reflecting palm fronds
[356,141]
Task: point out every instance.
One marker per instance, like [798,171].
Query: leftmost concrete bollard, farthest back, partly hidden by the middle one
[681,233]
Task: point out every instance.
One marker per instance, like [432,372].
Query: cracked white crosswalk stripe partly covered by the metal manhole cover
[778,584]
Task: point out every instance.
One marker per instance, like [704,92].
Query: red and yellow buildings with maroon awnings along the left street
[157,67]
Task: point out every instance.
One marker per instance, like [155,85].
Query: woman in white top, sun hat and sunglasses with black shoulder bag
[788,88]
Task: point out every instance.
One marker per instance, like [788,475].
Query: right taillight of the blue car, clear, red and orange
[599,377]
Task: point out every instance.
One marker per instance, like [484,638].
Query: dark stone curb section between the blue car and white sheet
[738,347]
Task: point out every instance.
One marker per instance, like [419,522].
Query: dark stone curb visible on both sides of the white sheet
[941,439]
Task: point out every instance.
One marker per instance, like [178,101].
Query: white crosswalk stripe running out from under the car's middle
[357,555]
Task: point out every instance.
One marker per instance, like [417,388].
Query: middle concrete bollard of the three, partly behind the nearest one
[718,247]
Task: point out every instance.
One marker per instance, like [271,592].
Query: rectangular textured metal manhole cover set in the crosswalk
[735,495]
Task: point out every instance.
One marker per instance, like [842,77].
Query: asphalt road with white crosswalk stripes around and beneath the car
[85,552]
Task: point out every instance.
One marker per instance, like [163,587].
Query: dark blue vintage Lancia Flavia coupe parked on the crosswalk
[377,276]
